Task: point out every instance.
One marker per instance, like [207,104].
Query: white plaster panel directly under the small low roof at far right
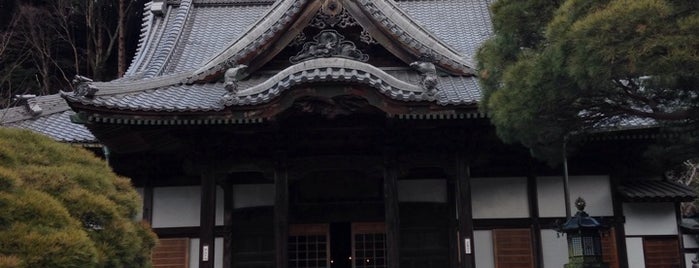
[650,219]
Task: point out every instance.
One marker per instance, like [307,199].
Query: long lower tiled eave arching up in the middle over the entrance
[338,72]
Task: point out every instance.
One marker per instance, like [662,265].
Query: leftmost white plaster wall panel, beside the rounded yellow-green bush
[176,206]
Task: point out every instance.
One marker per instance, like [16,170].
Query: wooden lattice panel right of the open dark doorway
[369,244]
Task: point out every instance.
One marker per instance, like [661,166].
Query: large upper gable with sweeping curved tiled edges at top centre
[370,22]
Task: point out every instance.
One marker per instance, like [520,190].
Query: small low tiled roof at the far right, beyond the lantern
[656,191]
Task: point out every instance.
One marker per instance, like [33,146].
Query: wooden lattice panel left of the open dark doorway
[308,246]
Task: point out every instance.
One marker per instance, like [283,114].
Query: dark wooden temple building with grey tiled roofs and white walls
[346,133]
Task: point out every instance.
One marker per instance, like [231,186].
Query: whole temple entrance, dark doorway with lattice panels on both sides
[337,245]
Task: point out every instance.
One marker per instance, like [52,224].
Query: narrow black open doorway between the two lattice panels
[341,245]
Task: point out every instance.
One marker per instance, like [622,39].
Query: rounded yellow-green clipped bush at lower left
[60,206]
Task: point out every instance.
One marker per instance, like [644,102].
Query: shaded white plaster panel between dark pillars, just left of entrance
[253,195]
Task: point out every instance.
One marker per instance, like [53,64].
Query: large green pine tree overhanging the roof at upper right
[555,69]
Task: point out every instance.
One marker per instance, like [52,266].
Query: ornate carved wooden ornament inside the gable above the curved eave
[329,43]
